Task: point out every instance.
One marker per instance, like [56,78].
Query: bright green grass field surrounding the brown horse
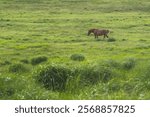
[45,52]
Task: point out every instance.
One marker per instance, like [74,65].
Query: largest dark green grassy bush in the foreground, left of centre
[53,77]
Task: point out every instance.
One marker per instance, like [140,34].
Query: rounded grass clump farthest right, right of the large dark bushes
[129,63]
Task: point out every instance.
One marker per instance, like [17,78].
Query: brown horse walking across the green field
[98,32]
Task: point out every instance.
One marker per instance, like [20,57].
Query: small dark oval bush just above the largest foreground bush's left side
[37,60]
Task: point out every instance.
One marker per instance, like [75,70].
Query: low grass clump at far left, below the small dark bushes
[17,67]
